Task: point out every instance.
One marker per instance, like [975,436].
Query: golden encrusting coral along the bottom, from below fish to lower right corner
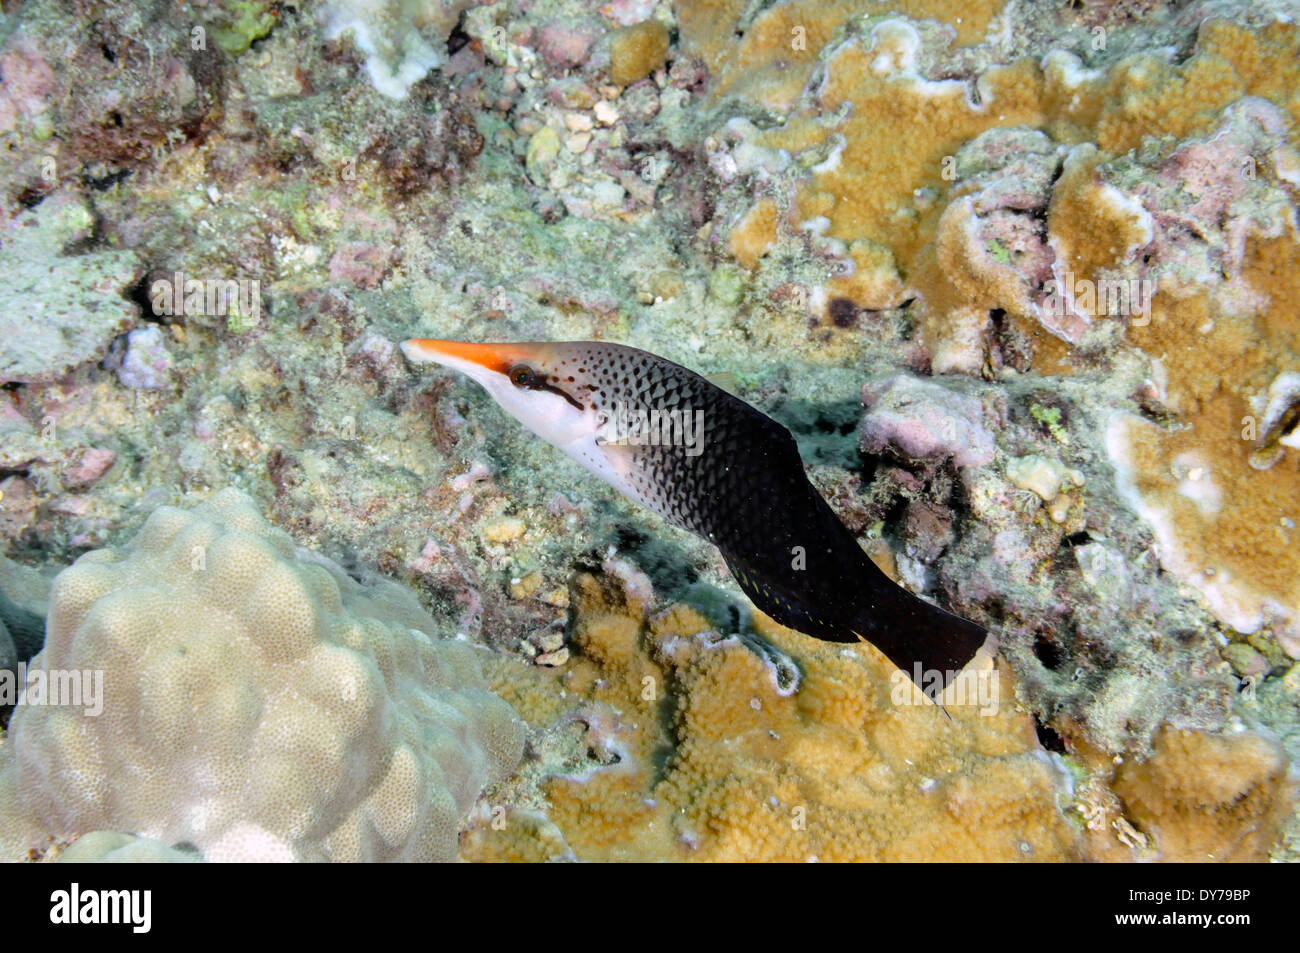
[671,742]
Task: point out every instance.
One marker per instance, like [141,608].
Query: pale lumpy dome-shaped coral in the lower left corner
[258,704]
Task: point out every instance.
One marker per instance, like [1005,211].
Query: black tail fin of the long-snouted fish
[929,644]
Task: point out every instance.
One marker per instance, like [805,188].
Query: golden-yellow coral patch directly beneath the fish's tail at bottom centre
[720,761]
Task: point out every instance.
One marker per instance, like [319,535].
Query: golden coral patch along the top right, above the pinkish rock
[899,131]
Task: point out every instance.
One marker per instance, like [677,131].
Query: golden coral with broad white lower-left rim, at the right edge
[1224,526]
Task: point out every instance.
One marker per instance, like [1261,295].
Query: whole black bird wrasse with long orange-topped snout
[708,462]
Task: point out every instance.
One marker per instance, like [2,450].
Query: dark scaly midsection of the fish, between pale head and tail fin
[746,490]
